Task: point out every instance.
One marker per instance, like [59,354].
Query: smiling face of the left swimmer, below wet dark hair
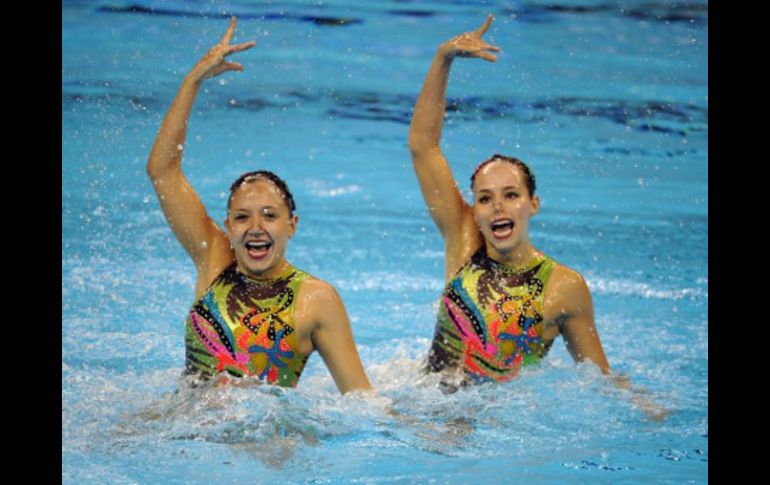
[259,226]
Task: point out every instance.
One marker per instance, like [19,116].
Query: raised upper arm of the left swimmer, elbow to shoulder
[185,213]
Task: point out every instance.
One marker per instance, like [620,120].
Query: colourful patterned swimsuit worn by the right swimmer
[490,319]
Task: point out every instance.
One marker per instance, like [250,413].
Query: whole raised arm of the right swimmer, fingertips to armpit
[449,211]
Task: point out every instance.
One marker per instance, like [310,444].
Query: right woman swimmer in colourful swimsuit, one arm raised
[505,301]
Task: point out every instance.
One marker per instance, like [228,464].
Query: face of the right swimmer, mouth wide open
[503,206]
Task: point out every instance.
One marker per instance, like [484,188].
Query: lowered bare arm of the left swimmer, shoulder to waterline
[333,337]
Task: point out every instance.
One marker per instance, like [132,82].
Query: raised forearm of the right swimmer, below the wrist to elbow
[428,118]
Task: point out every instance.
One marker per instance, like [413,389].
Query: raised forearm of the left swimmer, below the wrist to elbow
[168,147]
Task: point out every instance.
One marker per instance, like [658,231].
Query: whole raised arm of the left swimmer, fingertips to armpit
[184,211]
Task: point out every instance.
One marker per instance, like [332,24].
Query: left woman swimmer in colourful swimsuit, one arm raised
[254,313]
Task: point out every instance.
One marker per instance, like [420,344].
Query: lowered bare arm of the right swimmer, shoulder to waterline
[571,297]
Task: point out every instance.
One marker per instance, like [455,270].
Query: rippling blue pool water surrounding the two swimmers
[608,103]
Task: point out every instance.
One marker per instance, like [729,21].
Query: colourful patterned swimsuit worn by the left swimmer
[246,327]
